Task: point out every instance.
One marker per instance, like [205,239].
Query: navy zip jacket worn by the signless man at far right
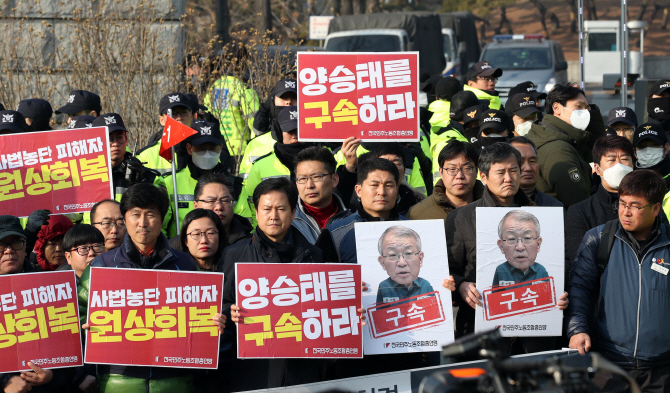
[628,318]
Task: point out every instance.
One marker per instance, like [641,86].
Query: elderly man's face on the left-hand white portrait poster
[401,258]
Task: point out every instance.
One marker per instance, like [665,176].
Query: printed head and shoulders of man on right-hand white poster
[520,241]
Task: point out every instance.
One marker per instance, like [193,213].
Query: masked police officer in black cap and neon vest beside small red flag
[203,151]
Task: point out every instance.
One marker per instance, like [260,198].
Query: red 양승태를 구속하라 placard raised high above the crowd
[372,96]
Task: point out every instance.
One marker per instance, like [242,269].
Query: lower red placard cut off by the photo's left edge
[39,321]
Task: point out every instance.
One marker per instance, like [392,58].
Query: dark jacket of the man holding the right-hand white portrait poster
[461,231]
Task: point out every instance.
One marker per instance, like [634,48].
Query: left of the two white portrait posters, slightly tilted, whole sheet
[407,308]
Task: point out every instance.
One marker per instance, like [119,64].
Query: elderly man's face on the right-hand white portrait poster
[520,242]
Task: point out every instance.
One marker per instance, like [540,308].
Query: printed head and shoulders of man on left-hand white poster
[401,257]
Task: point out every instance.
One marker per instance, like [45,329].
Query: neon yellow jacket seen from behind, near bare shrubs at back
[235,106]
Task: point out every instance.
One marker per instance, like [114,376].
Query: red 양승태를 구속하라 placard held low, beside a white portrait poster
[295,310]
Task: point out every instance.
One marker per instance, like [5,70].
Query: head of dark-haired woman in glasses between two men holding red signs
[203,237]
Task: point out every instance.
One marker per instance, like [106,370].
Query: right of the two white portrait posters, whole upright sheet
[520,270]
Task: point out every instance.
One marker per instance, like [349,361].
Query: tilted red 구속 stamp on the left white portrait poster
[417,312]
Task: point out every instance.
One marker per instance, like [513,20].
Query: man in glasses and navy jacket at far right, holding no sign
[619,287]
